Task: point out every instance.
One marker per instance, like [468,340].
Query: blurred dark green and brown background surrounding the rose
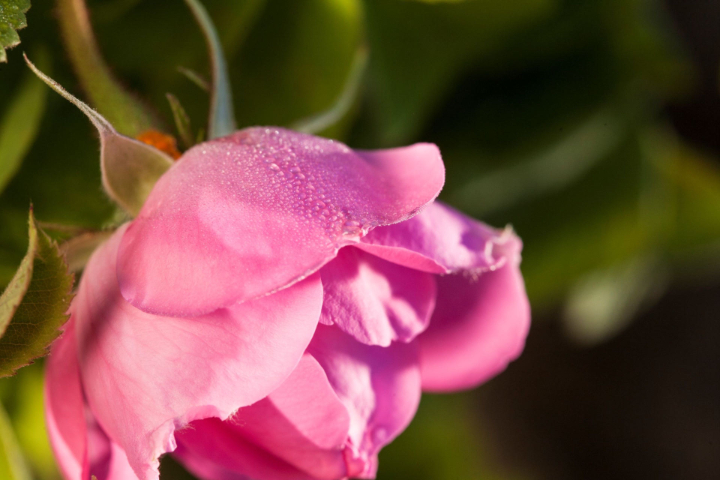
[591,126]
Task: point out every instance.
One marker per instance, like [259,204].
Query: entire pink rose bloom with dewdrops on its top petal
[275,311]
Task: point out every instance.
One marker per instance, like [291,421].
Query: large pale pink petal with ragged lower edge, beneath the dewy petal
[145,376]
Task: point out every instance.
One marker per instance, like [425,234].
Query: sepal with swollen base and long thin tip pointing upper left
[129,168]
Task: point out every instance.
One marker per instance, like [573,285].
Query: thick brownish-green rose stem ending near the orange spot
[126,113]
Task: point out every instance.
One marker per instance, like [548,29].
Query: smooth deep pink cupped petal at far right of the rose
[478,327]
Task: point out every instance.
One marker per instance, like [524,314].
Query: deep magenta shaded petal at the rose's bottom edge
[213,452]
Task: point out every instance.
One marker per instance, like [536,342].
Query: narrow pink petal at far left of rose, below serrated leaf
[64,406]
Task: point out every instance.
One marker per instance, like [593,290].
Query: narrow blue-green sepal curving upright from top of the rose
[222,117]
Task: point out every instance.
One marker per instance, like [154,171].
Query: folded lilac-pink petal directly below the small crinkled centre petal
[379,386]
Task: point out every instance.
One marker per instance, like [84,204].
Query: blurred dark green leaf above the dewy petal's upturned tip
[419,49]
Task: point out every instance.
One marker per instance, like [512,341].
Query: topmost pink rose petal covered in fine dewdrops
[256,211]
